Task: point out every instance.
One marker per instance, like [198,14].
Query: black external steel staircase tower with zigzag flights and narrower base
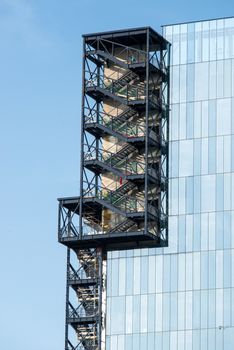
[123,202]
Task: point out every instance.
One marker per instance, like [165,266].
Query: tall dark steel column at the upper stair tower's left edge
[82,142]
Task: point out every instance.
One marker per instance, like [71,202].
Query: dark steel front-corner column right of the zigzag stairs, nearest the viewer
[146,131]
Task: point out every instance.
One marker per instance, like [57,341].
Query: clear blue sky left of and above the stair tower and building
[40,93]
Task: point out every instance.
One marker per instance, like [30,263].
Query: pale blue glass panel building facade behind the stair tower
[182,297]
